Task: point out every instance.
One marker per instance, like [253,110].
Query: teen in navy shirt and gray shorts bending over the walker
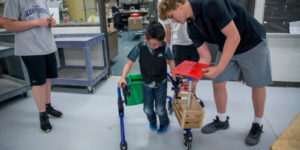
[242,48]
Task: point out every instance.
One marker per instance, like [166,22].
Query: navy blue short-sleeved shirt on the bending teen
[211,16]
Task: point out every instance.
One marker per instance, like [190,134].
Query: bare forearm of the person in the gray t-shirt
[17,26]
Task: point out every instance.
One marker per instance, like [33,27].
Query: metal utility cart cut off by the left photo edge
[12,86]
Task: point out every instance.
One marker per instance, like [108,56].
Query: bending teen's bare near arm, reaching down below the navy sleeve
[232,41]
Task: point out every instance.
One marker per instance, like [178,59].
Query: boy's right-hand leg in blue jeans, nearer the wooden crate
[160,107]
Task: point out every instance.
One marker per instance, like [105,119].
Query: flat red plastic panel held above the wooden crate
[190,69]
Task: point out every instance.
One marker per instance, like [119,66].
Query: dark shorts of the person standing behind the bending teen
[182,52]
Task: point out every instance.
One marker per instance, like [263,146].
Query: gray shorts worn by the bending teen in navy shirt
[254,64]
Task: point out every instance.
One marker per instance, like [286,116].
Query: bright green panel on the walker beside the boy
[135,82]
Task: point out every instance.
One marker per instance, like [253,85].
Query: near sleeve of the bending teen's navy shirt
[220,12]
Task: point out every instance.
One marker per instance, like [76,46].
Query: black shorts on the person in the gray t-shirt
[40,68]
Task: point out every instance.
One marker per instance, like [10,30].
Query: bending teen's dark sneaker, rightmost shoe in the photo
[254,134]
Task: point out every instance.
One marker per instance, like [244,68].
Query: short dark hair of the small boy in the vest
[155,30]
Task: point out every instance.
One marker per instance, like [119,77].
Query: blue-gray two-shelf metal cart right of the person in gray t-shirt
[87,75]
